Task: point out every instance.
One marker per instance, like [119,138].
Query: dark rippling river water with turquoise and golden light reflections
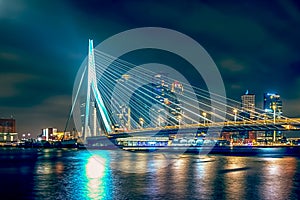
[101,174]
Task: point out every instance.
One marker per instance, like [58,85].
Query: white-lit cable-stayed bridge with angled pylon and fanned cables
[113,97]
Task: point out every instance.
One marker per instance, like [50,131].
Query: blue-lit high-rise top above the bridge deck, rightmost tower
[272,102]
